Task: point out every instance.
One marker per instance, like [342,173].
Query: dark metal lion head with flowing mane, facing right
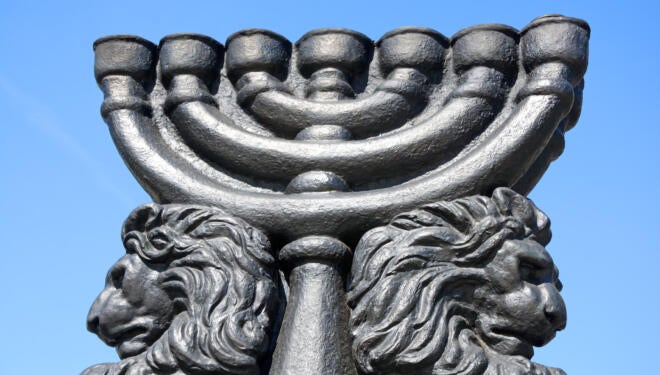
[461,287]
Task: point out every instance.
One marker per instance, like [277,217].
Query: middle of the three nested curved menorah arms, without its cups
[432,142]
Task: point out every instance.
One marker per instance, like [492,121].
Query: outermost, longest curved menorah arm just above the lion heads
[500,157]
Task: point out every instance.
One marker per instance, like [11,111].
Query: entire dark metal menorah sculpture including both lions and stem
[338,205]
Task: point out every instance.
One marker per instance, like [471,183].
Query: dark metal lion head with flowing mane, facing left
[195,293]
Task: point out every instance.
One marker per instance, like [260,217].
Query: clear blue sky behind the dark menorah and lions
[65,191]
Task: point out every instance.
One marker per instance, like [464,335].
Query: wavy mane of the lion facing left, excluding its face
[219,273]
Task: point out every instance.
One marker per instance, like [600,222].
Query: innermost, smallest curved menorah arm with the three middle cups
[329,57]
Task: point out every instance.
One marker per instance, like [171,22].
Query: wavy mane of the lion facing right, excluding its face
[411,281]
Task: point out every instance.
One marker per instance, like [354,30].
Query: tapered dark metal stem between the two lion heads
[314,335]
